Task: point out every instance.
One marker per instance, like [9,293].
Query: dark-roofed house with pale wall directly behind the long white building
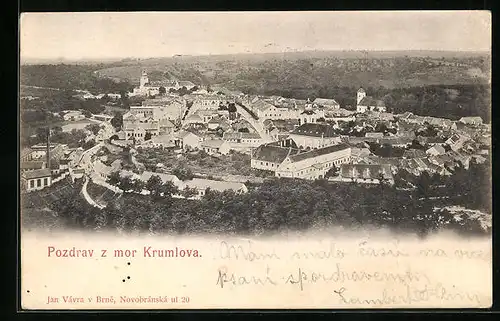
[311,135]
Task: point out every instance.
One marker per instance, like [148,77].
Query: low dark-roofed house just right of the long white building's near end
[361,173]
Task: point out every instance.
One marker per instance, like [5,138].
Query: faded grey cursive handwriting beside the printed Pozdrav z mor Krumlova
[388,273]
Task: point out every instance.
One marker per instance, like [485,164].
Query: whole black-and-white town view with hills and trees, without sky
[256,144]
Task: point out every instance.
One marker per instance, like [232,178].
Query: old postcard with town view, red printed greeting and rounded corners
[255,160]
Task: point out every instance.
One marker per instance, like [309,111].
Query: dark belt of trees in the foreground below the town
[279,205]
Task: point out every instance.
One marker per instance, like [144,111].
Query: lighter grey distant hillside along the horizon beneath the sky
[308,70]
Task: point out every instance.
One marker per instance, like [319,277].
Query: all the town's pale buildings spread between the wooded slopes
[309,139]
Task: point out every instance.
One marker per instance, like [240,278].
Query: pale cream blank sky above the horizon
[104,35]
